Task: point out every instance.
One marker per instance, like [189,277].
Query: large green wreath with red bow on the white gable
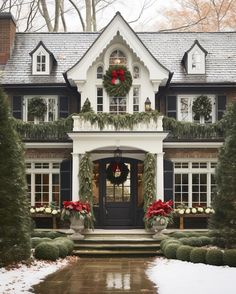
[117,81]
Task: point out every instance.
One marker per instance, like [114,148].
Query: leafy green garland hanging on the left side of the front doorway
[85,184]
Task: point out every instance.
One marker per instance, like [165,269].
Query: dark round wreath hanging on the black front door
[117,173]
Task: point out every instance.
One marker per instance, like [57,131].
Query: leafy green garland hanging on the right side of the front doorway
[149,179]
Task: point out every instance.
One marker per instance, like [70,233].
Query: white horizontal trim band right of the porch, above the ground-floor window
[192,145]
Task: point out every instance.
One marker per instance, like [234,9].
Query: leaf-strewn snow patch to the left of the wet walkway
[20,279]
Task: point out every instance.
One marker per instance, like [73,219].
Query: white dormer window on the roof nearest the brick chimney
[42,60]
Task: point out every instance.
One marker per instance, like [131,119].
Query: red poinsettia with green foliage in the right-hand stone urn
[159,210]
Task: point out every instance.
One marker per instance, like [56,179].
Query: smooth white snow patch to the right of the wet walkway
[179,277]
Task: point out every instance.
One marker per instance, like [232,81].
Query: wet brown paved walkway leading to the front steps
[100,275]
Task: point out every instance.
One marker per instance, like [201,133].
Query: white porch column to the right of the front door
[160,176]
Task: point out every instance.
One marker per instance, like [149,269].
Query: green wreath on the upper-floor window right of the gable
[202,107]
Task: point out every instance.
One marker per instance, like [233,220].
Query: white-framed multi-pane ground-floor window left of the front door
[43,179]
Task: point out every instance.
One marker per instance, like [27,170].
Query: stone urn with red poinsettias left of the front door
[79,214]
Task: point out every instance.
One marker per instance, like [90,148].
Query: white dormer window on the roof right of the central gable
[194,59]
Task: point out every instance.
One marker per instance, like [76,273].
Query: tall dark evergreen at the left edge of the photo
[15,220]
